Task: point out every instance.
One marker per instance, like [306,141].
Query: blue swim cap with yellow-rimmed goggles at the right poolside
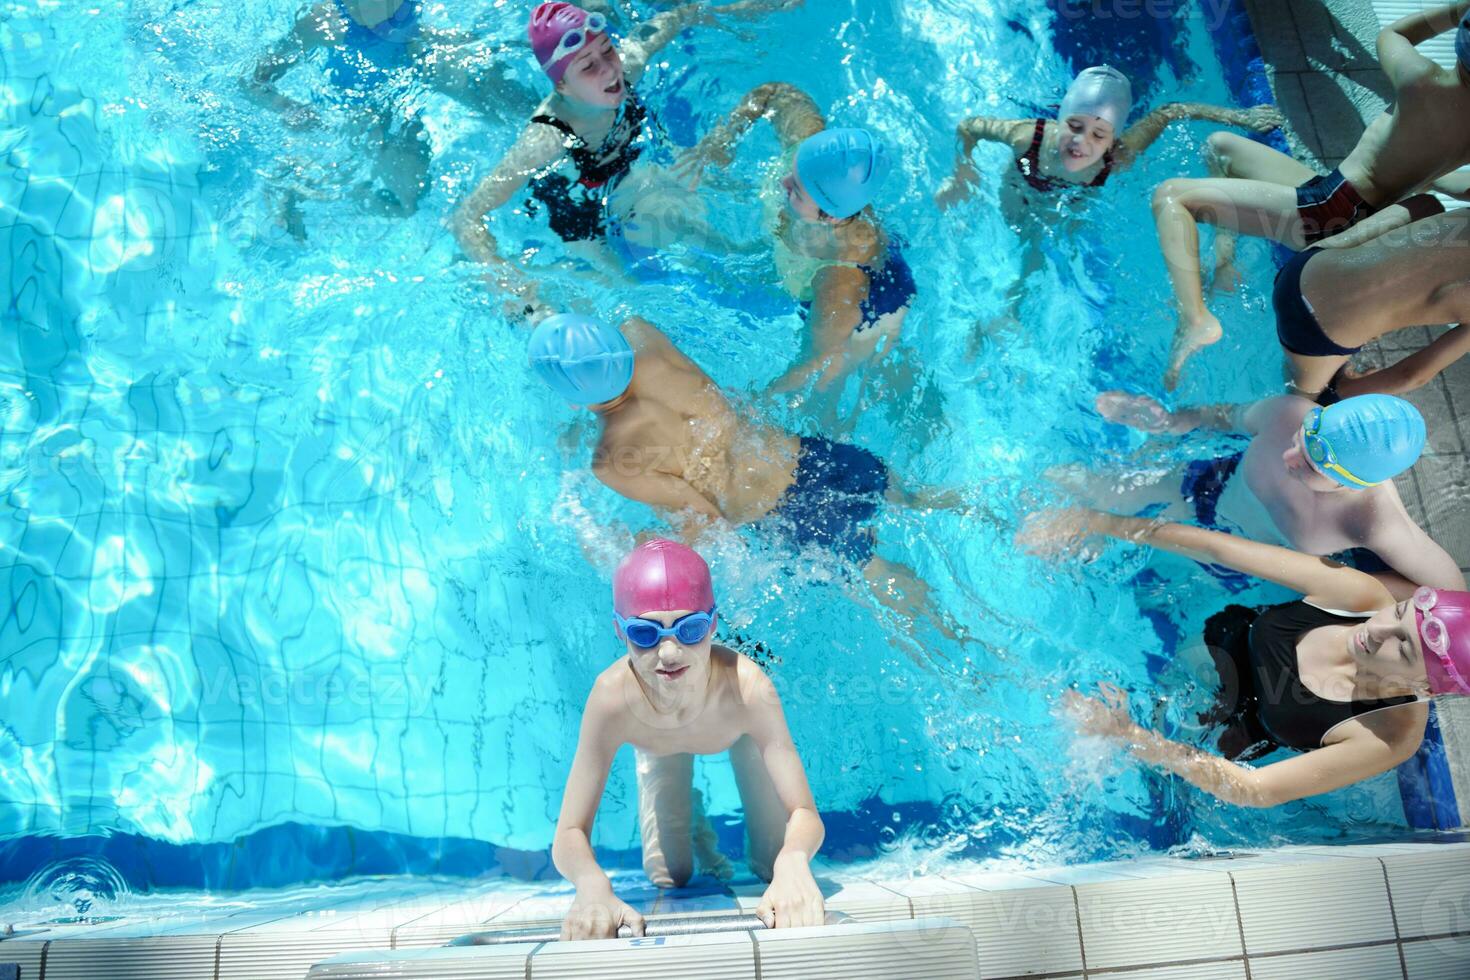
[1374,439]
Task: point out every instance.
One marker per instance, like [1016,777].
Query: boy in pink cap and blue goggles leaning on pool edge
[674,696]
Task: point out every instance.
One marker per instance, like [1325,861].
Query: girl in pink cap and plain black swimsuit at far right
[1343,675]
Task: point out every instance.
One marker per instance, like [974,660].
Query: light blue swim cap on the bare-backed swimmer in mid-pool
[584,361]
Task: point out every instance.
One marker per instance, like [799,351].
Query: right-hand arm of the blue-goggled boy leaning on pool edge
[793,898]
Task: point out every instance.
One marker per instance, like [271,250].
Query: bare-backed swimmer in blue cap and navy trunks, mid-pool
[673,440]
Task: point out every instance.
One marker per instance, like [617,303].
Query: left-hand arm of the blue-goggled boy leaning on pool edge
[596,913]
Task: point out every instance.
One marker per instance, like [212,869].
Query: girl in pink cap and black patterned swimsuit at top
[580,149]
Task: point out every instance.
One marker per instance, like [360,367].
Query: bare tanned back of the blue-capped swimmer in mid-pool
[677,428]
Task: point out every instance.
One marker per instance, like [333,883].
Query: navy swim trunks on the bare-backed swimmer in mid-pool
[837,491]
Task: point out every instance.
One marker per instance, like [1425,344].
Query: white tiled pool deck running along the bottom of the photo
[1397,910]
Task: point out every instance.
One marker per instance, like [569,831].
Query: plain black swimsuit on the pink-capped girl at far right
[1275,709]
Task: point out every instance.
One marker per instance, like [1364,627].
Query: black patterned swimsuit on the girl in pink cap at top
[578,212]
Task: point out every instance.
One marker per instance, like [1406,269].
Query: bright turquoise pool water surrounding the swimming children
[293,540]
